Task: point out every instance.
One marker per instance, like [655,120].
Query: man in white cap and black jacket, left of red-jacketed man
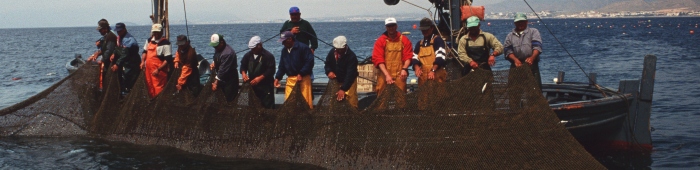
[341,66]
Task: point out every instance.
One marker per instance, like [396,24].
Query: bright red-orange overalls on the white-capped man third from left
[154,84]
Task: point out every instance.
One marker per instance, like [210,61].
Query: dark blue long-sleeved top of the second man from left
[128,52]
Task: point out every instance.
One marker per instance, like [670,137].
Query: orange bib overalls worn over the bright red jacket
[393,52]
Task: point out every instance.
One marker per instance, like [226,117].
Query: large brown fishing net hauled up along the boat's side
[491,120]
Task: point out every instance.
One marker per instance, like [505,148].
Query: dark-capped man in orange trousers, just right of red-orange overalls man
[186,58]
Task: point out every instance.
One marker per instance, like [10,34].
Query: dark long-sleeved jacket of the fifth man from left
[225,64]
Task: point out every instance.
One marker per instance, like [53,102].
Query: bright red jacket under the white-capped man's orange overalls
[380,46]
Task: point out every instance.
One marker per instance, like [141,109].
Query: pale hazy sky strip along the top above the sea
[78,13]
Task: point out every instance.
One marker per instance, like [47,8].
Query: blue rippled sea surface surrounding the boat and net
[33,59]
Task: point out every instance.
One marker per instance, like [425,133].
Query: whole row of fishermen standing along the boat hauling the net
[392,55]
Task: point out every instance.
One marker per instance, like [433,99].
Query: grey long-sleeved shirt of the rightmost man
[522,44]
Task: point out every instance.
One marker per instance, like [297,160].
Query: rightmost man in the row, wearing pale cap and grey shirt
[524,46]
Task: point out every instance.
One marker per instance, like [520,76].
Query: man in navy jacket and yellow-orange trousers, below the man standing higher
[297,62]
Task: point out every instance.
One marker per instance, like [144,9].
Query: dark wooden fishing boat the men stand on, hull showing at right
[598,117]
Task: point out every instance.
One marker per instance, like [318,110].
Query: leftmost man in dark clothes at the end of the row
[107,47]
